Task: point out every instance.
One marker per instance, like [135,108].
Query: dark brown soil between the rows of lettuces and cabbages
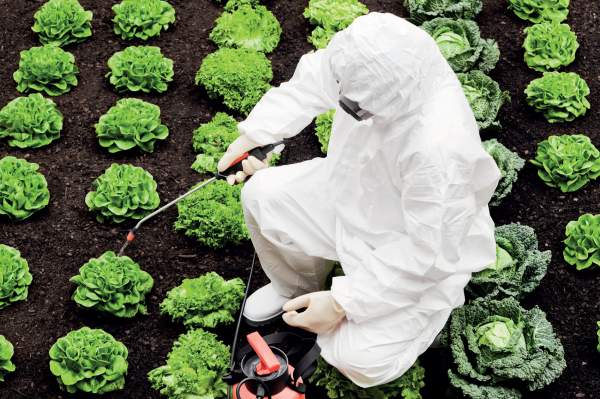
[61,238]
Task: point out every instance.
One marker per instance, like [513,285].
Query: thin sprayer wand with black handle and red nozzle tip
[236,166]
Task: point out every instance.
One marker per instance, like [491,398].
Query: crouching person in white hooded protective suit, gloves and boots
[401,200]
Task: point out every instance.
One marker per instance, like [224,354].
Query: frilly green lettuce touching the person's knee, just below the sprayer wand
[213,216]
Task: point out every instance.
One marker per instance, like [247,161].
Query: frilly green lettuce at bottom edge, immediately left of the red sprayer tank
[194,368]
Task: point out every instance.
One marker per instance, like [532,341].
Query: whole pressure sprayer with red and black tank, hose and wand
[260,369]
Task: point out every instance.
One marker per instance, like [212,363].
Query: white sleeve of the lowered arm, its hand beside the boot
[439,208]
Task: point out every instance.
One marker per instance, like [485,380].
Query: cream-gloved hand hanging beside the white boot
[321,315]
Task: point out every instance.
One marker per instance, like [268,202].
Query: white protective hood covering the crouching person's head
[386,64]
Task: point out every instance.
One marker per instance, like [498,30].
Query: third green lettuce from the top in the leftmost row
[30,122]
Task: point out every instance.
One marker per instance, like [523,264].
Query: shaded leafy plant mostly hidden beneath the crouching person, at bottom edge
[339,386]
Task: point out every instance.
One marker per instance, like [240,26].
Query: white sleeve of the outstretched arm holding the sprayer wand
[285,110]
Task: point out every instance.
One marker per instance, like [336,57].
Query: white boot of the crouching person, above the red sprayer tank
[264,306]
